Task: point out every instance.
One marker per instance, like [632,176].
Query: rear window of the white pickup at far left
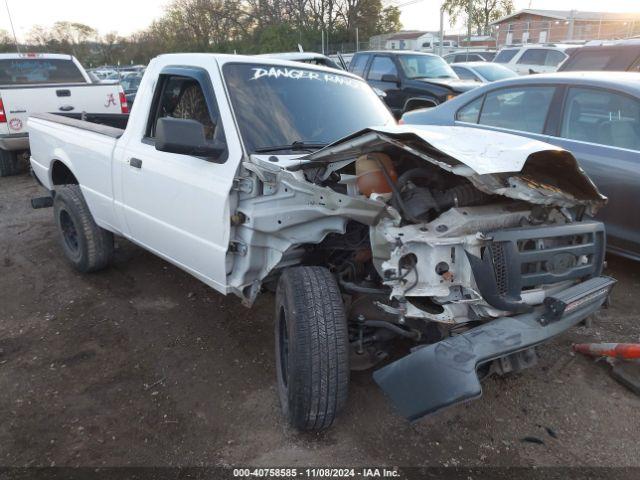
[30,71]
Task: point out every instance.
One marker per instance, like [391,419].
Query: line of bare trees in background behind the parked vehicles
[241,26]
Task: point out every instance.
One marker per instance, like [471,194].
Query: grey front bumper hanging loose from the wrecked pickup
[444,373]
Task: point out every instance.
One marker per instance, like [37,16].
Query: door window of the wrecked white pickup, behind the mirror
[183,97]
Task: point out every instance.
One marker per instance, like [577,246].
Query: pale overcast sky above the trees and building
[127,16]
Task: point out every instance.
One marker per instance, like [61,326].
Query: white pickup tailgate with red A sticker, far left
[20,102]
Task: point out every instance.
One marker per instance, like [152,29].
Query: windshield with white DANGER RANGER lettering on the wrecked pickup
[277,105]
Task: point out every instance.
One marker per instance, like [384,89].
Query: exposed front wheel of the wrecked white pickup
[312,343]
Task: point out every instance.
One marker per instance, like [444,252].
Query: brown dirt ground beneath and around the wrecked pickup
[143,365]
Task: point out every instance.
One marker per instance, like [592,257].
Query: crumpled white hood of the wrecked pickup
[495,162]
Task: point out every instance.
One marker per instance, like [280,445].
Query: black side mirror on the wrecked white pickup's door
[185,137]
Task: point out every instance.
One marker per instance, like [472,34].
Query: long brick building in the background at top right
[558,26]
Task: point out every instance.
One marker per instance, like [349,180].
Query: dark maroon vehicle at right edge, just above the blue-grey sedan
[621,56]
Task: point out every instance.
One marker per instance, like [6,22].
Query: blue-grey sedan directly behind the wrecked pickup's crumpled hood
[596,116]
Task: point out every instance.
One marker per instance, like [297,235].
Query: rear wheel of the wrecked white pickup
[87,246]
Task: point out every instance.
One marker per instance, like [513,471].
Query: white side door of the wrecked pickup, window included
[178,205]
